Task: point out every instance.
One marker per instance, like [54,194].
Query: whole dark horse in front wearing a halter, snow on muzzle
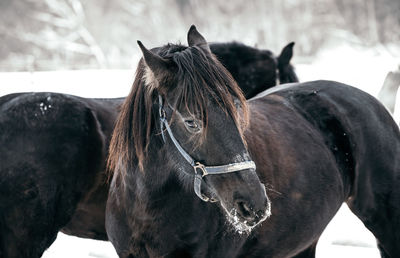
[188,149]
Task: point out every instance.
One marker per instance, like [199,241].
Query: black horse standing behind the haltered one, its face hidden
[53,149]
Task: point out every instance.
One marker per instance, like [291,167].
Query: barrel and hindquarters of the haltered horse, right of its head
[309,185]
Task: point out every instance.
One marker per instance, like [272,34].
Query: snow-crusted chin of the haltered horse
[241,225]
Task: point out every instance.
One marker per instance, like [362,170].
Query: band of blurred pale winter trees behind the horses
[79,34]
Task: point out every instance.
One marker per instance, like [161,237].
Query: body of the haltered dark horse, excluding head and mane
[306,187]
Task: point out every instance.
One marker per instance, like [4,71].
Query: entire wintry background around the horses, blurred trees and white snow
[88,48]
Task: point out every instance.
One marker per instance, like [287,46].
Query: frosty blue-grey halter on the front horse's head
[200,170]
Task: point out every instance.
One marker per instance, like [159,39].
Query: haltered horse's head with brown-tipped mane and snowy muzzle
[191,114]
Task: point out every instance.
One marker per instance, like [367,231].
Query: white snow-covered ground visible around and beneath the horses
[344,237]
